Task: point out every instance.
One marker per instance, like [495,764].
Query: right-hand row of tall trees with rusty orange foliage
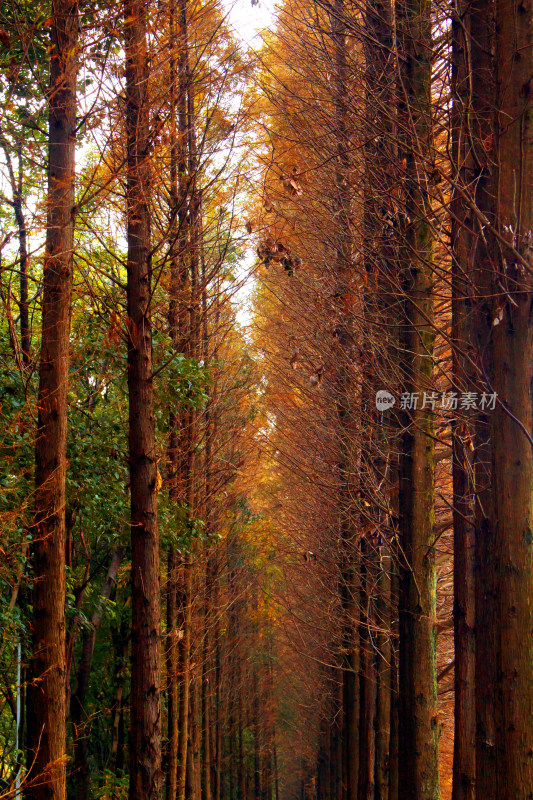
[393,231]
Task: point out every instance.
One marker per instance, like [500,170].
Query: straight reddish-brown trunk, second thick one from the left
[145,720]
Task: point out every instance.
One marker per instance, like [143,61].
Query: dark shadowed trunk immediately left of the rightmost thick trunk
[477,127]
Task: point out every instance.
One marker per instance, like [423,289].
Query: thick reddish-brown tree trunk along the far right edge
[512,427]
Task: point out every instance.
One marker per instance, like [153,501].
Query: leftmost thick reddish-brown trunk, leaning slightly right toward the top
[46,695]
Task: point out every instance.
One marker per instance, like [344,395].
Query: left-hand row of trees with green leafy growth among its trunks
[136,659]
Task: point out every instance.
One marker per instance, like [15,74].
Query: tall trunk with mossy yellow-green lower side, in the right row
[419,728]
